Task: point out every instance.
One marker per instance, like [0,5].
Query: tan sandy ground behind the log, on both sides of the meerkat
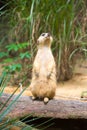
[71,89]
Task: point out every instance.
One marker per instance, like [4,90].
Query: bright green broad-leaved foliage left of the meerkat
[14,66]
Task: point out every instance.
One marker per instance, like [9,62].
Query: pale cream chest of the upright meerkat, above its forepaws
[44,60]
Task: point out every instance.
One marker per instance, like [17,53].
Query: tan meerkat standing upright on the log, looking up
[43,84]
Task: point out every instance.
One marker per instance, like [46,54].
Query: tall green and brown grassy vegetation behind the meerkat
[21,23]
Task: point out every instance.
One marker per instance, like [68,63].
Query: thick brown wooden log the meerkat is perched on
[61,108]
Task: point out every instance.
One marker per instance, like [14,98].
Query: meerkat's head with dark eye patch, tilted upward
[45,39]
